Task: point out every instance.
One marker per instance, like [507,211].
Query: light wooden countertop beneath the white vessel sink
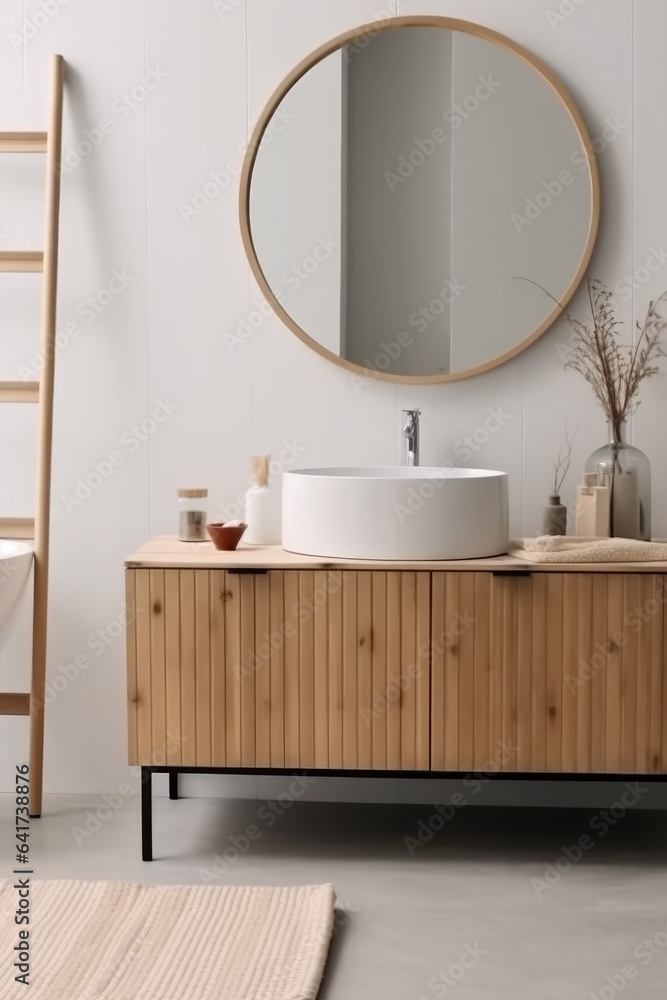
[166,552]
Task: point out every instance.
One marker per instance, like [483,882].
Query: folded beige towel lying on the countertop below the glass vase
[569,549]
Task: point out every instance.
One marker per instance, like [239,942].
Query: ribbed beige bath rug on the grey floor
[122,941]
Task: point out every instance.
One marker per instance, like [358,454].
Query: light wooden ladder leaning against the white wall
[41,392]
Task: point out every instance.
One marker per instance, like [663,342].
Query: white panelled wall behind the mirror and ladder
[162,338]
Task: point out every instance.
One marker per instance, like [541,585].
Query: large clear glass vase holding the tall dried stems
[627,471]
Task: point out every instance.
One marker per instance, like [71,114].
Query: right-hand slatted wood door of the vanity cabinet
[561,672]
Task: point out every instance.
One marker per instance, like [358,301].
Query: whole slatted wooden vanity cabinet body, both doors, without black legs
[395,669]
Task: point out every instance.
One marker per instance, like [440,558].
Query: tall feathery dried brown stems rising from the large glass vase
[615,371]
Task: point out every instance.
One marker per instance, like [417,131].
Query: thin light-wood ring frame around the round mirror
[354,36]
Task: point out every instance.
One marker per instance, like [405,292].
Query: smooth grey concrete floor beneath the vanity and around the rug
[462,917]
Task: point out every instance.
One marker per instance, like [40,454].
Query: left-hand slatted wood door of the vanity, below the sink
[318,669]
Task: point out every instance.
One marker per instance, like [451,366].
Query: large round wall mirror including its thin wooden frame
[420,199]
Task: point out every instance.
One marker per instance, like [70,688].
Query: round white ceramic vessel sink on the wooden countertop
[396,513]
